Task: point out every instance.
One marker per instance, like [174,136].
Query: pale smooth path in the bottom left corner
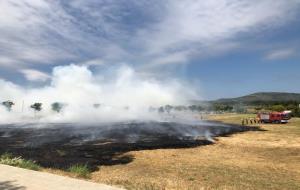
[12,178]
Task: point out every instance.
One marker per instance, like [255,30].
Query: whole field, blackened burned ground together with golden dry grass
[163,155]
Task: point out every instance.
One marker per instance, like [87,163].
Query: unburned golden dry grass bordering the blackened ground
[252,160]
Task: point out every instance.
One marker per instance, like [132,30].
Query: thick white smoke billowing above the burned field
[122,95]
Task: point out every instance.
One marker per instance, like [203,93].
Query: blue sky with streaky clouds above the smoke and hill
[224,48]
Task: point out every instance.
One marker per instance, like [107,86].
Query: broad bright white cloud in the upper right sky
[191,24]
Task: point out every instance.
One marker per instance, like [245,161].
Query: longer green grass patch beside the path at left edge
[9,159]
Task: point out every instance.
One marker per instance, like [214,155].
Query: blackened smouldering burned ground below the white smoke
[61,145]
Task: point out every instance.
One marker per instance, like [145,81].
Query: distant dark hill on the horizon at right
[262,97]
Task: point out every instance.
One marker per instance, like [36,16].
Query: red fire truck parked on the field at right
[274,117]
